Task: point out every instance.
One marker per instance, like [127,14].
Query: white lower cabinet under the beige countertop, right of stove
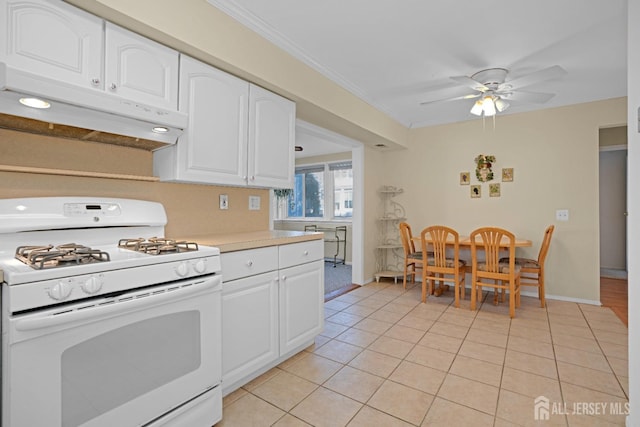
[272,307]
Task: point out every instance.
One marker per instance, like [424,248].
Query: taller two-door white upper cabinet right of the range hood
[238,134]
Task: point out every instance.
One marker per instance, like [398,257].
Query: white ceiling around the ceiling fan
[397,54]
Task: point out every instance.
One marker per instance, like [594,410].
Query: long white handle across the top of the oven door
[126,302]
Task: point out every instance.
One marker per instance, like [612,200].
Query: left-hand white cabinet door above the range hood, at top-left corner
[52,39]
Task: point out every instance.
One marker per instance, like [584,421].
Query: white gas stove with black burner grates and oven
[92,282]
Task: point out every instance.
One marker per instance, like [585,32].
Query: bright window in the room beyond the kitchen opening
[317,188]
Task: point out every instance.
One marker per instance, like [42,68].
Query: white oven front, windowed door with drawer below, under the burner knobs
[120,361]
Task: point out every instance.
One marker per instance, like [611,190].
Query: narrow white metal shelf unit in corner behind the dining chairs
[389,254]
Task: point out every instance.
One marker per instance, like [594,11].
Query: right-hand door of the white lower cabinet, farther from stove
[301,304]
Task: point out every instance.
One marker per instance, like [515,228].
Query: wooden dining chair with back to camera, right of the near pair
[490,271]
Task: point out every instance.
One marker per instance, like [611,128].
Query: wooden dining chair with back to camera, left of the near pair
[437,266]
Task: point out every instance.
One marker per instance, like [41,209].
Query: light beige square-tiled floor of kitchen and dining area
[385,359]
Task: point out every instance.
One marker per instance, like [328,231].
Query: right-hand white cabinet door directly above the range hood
[140,69]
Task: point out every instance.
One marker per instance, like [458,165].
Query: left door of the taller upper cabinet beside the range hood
[214,147]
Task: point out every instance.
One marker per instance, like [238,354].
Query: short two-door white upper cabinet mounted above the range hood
[60,42]
